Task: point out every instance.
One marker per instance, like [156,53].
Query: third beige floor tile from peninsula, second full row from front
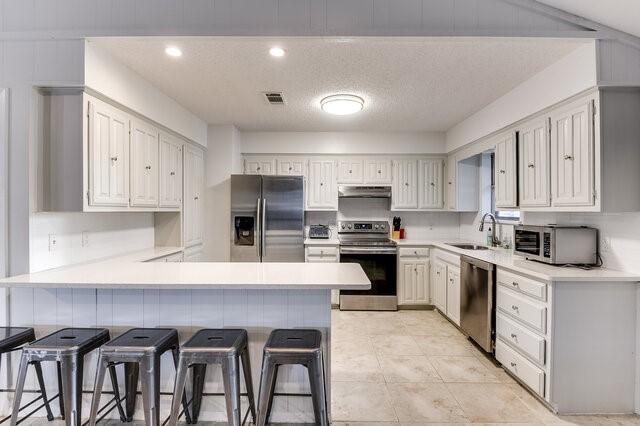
[459,369]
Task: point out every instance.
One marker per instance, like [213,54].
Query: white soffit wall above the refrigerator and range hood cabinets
[343,142]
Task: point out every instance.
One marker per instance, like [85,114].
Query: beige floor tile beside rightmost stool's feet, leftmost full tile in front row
[367,402]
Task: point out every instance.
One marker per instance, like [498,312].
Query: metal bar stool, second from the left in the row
[67,347]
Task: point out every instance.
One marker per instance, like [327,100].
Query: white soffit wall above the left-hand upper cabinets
[118,82]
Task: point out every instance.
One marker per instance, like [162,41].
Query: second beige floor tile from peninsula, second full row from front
[407,368]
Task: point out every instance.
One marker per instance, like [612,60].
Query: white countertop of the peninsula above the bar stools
[132,272]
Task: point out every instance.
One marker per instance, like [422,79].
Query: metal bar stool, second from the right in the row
[226,347]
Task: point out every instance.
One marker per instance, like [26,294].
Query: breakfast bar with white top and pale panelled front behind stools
[130,291]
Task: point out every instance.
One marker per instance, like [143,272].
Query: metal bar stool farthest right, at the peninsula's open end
[293,346]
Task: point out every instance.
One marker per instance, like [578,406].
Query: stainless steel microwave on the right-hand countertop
[557,244]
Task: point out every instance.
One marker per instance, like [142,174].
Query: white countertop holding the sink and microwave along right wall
[506,259]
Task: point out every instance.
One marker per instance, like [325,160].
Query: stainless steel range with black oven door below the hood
[368,244]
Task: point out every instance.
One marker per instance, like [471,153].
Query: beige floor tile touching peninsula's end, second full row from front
[356,368]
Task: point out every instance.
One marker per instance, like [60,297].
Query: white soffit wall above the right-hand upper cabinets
[561,80]
